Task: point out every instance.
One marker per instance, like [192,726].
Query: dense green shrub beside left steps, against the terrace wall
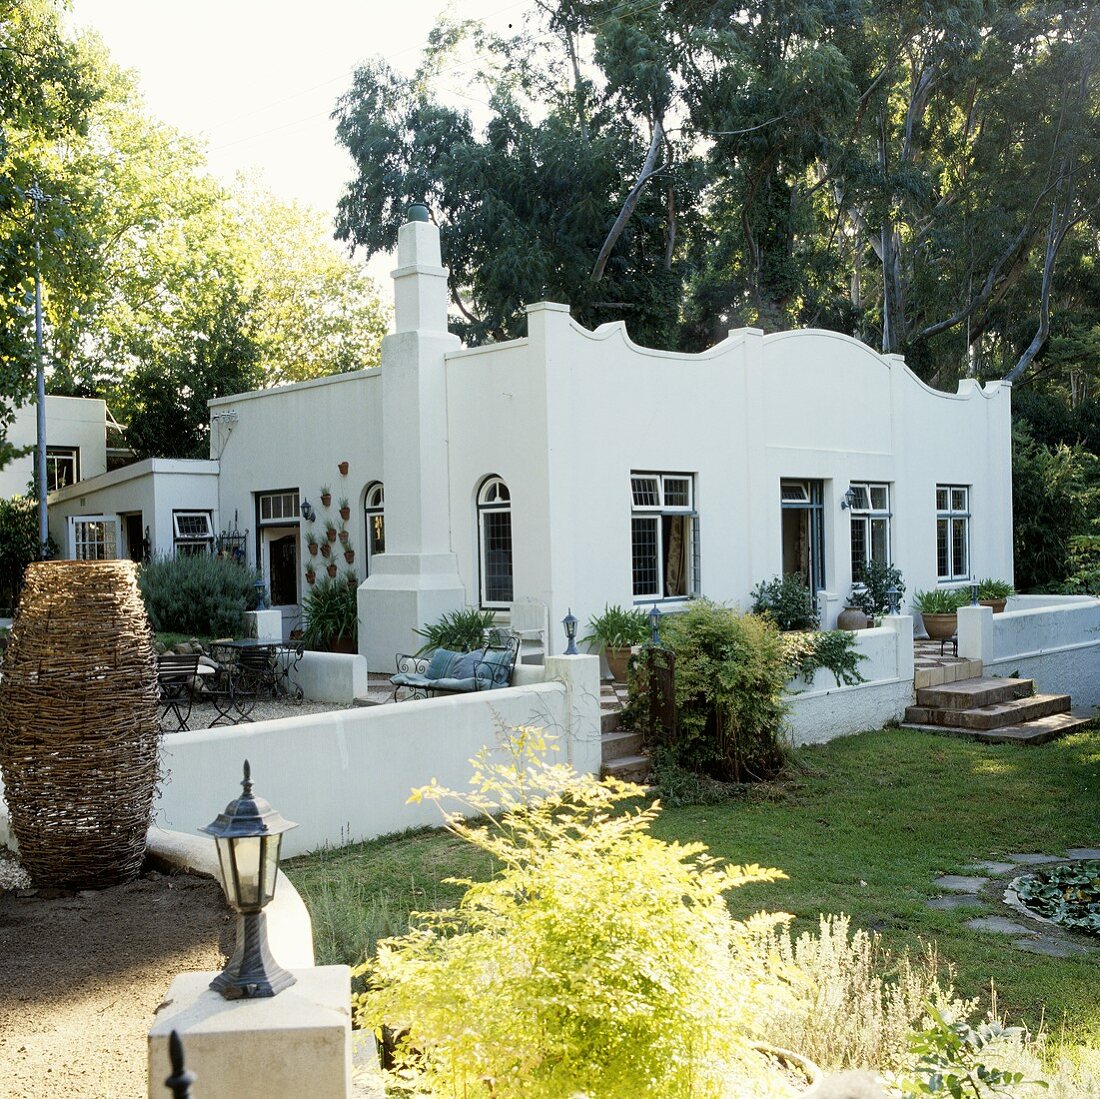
[731,672]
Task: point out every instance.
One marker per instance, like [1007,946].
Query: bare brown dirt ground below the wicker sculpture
[83,974]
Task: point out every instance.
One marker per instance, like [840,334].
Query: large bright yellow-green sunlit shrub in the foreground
[599,960]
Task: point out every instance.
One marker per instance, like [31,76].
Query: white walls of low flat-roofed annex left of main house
[153,488]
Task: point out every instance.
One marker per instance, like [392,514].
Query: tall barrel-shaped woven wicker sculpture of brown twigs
[80,735]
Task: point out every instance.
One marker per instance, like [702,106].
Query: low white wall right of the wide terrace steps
[1054,640]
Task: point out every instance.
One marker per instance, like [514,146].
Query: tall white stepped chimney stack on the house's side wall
[417,579]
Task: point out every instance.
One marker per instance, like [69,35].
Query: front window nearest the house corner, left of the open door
[664,536]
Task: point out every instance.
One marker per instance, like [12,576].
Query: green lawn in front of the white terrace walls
[862,826]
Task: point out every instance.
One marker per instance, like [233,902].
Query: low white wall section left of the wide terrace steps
[821,710]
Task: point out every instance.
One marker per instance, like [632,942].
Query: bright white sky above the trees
[260,79]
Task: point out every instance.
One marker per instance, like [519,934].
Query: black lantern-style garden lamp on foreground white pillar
[249,836]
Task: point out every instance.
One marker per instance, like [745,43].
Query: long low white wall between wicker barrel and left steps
[346,776]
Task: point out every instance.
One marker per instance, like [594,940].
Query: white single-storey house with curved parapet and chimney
[573,469]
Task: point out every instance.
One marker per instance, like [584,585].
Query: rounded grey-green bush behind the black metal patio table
[197,595]
